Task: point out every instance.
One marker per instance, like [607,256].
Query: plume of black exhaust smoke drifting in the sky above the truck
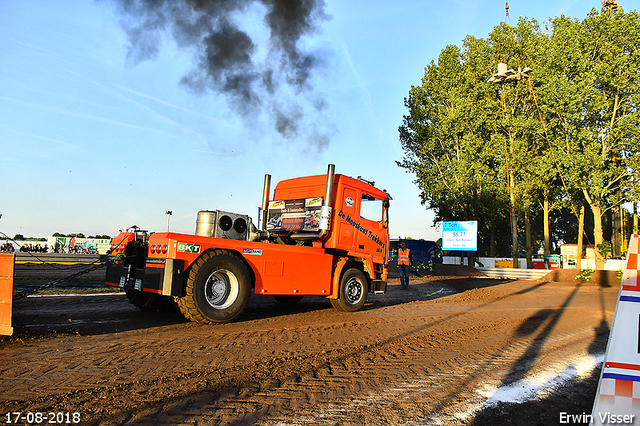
[265,76]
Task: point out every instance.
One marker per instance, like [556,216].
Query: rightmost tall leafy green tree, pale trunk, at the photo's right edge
[596,64]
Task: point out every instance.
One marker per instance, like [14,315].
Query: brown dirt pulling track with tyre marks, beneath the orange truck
[454,349]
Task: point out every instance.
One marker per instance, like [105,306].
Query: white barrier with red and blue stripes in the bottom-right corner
[618,396]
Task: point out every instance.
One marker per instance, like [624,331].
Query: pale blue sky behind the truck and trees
[104,125]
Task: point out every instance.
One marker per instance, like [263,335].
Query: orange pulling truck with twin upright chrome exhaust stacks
[324,235]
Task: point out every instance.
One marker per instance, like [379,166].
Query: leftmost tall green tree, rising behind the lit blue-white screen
[447,136]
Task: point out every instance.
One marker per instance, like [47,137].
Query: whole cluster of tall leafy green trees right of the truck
[567,134]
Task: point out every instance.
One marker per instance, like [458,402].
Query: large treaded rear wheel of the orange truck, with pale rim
[217,289]
